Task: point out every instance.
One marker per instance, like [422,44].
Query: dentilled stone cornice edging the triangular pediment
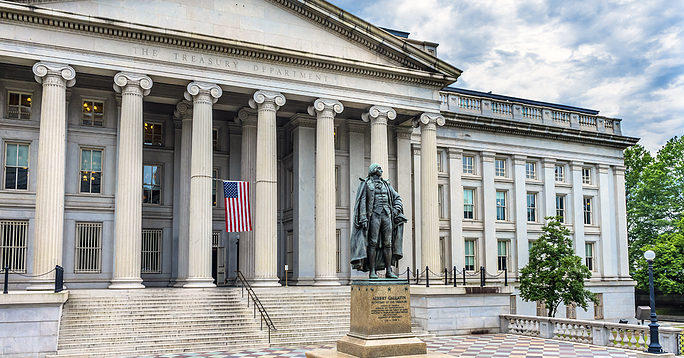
[102,27]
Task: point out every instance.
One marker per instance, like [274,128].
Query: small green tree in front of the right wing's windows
[554,274]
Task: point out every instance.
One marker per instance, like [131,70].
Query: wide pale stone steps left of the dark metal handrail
[107,323]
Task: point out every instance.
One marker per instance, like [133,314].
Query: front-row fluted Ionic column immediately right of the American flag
[265,223]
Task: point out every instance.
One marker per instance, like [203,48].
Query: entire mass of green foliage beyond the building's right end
[655,209]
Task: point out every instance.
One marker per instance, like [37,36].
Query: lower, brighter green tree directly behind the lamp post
[668,266]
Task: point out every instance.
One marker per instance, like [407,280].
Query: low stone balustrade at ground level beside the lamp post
[624,336]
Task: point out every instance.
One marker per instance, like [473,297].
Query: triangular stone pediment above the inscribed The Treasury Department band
[315,30]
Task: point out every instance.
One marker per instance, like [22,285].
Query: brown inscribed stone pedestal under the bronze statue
[380,323]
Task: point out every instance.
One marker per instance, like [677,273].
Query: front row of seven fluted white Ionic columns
[258,249]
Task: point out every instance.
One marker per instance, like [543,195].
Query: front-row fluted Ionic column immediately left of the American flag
[203,96]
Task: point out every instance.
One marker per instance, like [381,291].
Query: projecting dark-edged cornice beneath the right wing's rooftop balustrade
[536,130]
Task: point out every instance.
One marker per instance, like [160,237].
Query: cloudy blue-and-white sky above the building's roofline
[623,58]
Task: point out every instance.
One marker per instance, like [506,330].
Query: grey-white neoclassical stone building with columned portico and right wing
[116,117]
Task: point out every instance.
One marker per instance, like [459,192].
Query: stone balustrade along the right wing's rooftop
[525,112]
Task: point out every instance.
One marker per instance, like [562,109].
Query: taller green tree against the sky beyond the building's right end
[655,196]
